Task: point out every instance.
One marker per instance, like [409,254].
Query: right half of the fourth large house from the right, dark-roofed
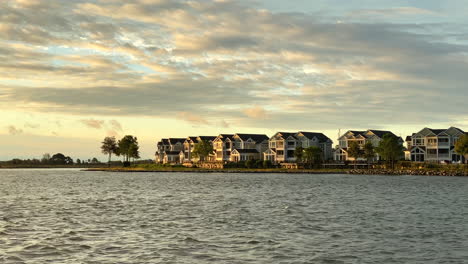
[248,146]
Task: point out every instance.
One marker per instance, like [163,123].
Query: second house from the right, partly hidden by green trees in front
[361,138]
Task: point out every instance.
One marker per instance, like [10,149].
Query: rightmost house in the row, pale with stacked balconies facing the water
[435,145]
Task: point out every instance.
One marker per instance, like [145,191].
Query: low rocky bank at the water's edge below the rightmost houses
[415,172]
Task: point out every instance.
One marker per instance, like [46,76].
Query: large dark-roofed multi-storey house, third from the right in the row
[283,144]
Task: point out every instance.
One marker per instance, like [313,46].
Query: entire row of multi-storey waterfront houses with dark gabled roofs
[426,145]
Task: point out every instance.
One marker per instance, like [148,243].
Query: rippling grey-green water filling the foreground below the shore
[71,216]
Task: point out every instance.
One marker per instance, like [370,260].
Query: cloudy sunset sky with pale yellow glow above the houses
[74,72]
